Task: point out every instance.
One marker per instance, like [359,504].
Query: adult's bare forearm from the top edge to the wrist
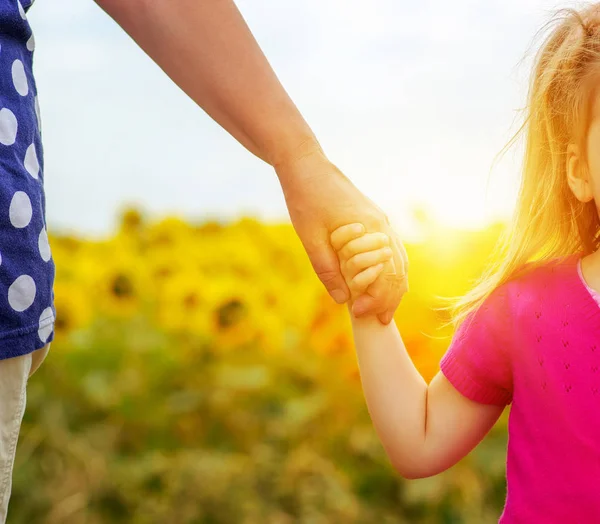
[206,48]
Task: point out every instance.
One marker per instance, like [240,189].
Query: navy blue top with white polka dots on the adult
[27,270]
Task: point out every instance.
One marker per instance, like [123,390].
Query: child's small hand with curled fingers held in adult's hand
[362,256]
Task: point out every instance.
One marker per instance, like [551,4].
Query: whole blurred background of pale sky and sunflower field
[200,373]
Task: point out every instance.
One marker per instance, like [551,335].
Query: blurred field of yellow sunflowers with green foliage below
[201,374]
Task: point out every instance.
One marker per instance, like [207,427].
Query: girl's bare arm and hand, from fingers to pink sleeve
[424,429]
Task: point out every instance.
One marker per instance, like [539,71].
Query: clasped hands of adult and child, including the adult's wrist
[340,228]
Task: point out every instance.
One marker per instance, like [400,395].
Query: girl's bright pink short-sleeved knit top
[535,344]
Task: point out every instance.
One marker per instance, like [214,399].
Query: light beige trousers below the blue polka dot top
[14,374]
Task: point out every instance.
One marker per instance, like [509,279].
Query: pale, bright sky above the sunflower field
[411,100]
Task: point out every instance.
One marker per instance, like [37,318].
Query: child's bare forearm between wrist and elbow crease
[395,392]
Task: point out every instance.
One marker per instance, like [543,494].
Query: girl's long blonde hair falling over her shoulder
[549,221]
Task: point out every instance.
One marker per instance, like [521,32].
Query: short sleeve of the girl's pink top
[477,362]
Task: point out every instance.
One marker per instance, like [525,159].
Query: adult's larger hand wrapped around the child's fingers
[320,199]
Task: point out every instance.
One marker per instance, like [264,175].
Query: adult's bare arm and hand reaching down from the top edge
[207,49]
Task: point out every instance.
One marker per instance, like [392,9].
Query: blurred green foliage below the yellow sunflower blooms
[164,430]
